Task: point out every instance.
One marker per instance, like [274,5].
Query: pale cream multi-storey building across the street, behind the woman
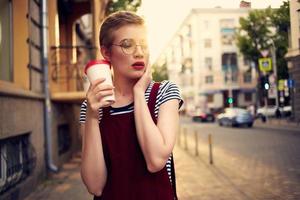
[203,59]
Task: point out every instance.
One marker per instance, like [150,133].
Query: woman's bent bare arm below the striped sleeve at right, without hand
[156,141]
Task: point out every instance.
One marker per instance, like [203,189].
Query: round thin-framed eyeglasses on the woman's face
[129,46]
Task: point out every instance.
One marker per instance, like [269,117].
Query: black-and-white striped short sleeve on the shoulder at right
[168,90]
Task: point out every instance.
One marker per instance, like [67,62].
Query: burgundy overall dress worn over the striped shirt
[128,177]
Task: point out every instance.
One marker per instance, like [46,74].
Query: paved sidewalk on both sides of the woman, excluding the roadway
[229,178]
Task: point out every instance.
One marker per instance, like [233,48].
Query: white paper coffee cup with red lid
[97,69]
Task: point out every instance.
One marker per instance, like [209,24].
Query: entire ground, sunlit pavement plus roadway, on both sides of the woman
[258,163]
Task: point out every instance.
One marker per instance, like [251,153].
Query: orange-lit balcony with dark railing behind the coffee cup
[66,72]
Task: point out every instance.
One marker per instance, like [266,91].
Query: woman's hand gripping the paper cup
[95,95]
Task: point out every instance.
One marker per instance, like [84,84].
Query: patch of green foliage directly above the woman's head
[117,5]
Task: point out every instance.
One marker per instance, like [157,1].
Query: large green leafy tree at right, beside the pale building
[258,28]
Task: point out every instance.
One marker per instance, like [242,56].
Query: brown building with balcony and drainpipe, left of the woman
[43,48]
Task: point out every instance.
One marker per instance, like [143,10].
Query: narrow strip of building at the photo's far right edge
[293,57]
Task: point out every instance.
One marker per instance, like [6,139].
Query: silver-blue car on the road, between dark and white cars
[235,117]
